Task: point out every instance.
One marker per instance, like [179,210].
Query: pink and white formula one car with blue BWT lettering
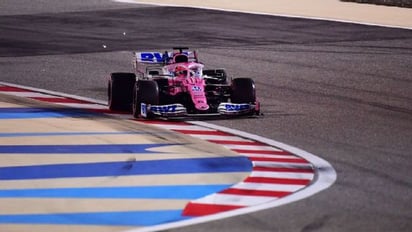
[174,84]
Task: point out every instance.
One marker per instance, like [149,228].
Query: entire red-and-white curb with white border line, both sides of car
[280,173]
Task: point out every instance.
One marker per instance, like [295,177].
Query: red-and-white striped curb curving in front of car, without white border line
[276,173]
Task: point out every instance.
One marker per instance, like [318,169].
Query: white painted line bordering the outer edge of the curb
[324,178]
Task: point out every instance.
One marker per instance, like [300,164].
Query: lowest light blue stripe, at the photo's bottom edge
[132,218]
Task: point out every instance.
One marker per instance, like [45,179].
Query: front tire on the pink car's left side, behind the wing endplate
[145,91]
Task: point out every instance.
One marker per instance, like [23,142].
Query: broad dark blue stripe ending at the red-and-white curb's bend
[149,167]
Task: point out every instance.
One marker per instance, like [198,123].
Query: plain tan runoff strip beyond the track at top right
[328,10]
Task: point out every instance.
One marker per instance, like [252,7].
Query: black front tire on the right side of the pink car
[243,90]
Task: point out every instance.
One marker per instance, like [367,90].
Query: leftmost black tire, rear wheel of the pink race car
[120,91]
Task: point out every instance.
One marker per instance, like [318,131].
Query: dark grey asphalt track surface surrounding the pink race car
[340,91]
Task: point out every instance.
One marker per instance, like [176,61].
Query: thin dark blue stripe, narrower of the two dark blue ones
[79,149]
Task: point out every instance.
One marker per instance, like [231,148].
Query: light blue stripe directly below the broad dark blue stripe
[138,192]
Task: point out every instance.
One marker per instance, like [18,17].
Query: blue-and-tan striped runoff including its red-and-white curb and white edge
[63,164]
